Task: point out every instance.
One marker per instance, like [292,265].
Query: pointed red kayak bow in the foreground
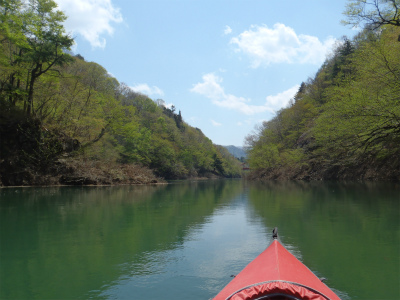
[276,274]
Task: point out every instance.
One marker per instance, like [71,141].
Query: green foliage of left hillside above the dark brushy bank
[81,101]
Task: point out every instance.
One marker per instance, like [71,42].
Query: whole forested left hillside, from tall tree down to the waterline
[66,120]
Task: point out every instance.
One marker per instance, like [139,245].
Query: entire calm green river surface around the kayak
[184,240]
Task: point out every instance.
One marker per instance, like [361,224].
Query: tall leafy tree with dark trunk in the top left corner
[33,40]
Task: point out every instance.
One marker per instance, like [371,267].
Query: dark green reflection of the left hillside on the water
[87,236]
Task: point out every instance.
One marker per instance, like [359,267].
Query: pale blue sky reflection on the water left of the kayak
[208,255]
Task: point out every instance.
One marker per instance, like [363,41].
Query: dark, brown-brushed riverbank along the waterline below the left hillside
[33,155]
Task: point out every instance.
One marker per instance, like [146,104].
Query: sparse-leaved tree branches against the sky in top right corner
[373,13]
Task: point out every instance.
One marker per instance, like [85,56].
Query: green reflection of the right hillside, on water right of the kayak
[347,232]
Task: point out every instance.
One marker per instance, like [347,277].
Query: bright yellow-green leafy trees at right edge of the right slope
[363,113]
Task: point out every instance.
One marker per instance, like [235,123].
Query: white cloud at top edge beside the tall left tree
[91,19]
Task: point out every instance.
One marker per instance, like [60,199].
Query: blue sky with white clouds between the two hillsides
[227,65]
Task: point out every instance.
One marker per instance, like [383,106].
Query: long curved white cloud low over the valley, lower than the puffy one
[212,89]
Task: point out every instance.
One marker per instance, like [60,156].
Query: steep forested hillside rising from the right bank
[345,122]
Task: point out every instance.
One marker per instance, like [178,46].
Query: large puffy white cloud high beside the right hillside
[280,44]
